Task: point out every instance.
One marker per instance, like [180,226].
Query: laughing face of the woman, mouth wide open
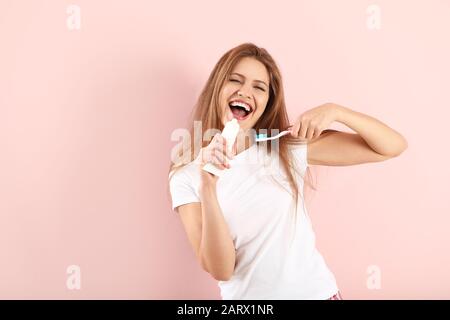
[250,78]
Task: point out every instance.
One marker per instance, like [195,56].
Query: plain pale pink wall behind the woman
[86,117]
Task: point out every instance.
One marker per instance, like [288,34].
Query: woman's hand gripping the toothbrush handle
[310,124]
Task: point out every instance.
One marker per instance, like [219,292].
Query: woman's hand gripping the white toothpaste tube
[217,154]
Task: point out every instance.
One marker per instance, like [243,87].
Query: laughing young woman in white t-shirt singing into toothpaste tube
[247,227]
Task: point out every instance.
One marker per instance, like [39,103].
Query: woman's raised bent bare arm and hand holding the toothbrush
[374,141]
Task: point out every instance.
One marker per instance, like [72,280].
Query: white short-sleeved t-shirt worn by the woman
[273,260]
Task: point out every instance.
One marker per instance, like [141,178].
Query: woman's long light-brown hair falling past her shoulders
[209,113]
